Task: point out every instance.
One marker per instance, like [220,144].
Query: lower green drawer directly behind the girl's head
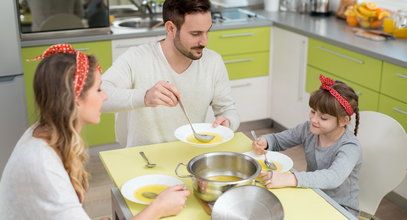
[368,99]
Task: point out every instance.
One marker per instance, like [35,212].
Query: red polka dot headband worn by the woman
[82,64]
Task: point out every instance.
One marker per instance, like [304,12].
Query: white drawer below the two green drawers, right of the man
[251,97]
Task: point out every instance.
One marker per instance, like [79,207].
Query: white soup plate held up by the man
[183,132]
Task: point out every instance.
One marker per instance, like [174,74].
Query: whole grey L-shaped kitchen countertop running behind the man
[328,29]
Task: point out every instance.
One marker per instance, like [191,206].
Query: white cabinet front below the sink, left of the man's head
[121,45]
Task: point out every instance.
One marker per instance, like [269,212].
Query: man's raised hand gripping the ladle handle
[162,93]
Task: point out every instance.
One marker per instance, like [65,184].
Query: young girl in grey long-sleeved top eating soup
[333,152]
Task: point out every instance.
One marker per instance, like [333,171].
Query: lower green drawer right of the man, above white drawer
[247,65]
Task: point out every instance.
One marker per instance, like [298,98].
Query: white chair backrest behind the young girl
[384,166]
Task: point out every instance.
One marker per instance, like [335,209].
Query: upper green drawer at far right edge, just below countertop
[394,81]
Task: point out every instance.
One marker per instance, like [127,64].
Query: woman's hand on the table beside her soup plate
[171,201]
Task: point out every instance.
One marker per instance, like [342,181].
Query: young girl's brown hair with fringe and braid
[323,101]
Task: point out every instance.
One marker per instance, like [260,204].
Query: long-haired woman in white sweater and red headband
[45,176]
